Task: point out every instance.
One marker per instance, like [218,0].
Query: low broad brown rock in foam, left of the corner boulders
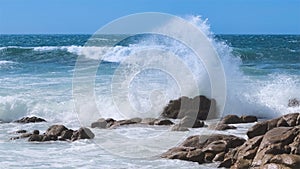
[203,149]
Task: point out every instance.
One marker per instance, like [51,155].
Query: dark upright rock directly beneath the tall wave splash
[201,107]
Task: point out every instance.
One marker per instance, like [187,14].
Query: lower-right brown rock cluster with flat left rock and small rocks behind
[272,144]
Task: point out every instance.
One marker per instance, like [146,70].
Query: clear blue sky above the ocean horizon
[87,16]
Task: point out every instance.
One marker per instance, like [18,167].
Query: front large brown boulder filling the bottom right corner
[277,148]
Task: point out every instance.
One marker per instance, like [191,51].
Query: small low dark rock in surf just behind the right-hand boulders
[234,119]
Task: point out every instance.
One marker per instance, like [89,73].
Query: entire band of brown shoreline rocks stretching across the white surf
[273,143]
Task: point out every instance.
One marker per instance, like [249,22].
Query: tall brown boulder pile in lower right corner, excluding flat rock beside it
[272,144]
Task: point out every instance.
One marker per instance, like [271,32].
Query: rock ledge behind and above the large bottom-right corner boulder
[289,120]
